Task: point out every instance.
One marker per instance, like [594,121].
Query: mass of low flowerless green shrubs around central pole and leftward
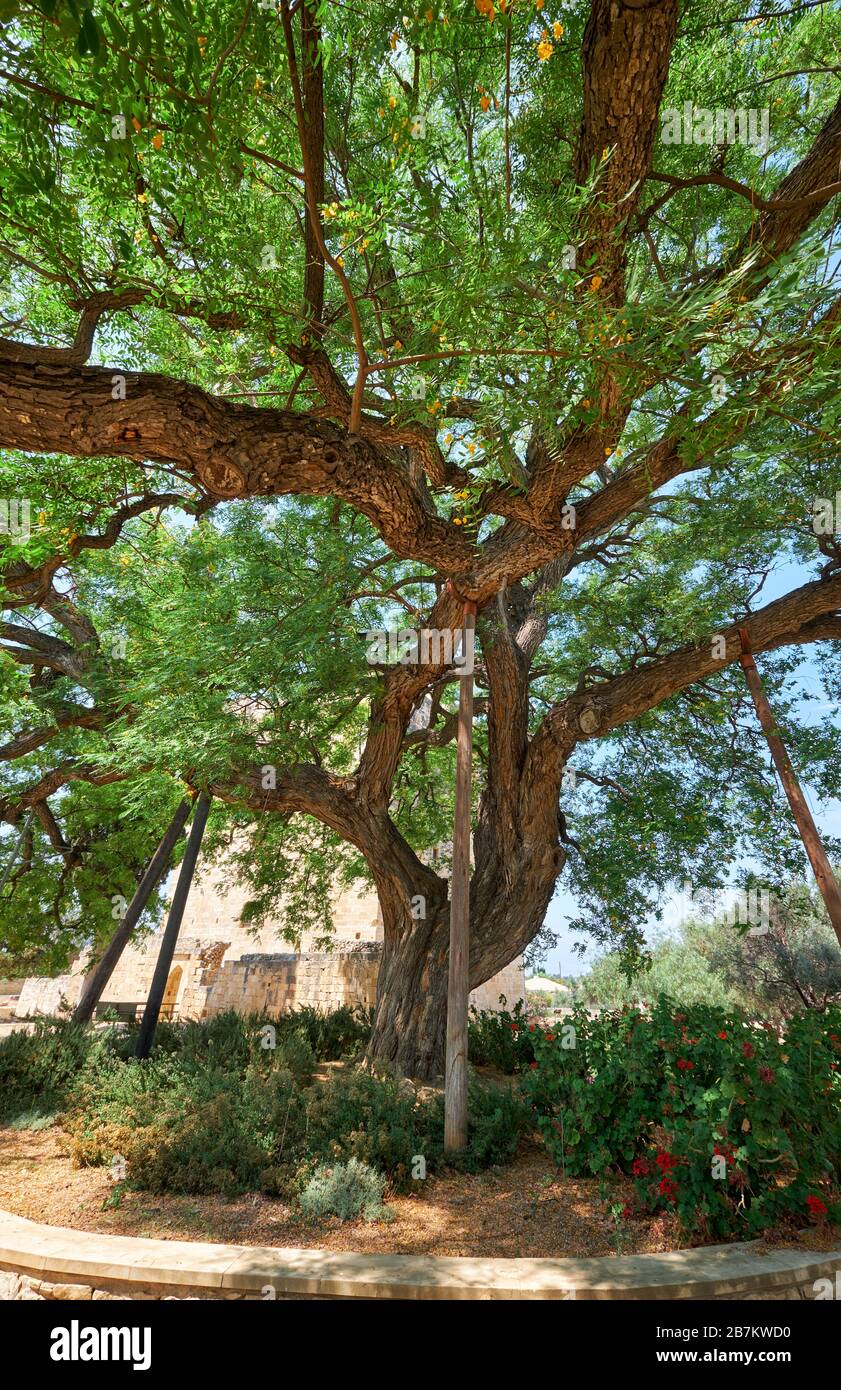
[230,1106]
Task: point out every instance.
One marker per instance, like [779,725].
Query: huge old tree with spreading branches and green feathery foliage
[498,311]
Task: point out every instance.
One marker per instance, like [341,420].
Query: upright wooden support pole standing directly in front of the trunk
[455,1081]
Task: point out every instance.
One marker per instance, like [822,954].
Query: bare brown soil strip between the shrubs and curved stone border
[523,1210]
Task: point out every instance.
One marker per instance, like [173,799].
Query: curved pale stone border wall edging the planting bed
[56,1260]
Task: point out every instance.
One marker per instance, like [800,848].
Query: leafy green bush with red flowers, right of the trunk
[732,1127]
